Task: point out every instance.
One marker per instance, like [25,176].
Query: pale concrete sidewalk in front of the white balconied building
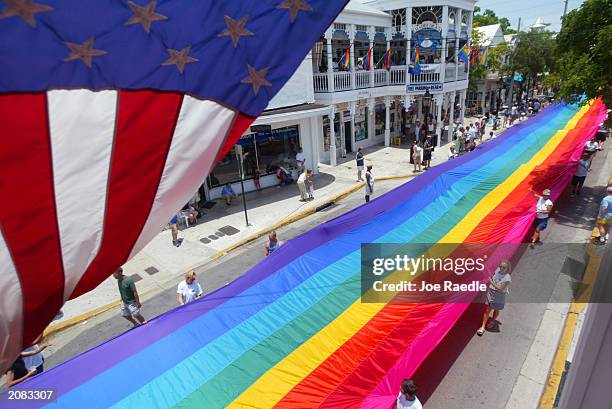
[223,228]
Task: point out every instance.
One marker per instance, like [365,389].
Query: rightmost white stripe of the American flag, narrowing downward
[200,132]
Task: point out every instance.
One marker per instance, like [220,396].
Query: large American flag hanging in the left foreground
[112,112]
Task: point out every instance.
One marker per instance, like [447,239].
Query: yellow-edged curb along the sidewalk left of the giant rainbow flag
[54,329]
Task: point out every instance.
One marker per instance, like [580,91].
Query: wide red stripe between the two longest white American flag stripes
[145,125]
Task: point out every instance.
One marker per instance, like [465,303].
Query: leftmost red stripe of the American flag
[27,209]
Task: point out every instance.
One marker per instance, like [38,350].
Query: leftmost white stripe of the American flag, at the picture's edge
[11,305]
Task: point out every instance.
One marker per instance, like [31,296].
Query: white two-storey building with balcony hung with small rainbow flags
[366,105]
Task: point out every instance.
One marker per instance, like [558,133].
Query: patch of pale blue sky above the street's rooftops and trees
[550,10]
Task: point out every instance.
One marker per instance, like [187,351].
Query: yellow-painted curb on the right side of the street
[558,367]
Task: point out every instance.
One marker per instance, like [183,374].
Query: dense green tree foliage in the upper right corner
[584,51]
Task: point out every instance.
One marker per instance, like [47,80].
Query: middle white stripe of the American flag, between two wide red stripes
[81,146]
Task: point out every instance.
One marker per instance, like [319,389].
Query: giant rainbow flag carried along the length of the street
[292,332]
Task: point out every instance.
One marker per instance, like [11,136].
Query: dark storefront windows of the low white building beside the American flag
[263,151]
